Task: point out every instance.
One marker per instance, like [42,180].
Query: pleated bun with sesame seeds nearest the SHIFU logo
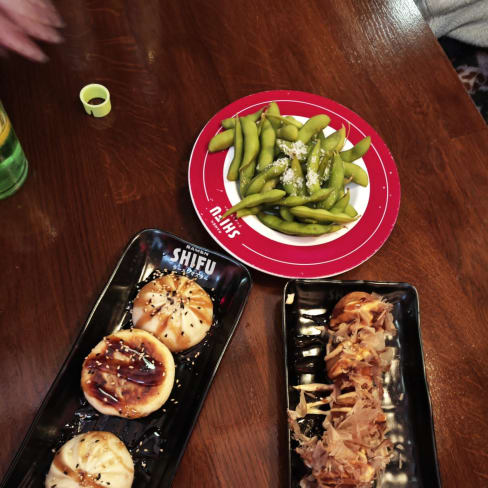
[177,310]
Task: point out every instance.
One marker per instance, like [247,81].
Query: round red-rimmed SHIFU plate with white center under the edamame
[291,256]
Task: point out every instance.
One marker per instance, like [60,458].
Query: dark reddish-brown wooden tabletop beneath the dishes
[94,183]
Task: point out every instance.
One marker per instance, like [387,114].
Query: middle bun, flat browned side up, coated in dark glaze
[128,374]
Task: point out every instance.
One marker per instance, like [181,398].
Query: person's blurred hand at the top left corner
[21,20]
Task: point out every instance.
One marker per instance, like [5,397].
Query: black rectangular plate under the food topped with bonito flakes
[406,398]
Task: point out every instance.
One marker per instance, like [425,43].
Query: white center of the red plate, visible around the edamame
[359,200]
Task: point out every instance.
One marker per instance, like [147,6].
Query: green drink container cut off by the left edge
[13,163]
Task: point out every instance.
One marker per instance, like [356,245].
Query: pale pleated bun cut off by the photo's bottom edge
[93,459]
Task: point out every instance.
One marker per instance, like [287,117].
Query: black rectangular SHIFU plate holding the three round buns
[156,442]
